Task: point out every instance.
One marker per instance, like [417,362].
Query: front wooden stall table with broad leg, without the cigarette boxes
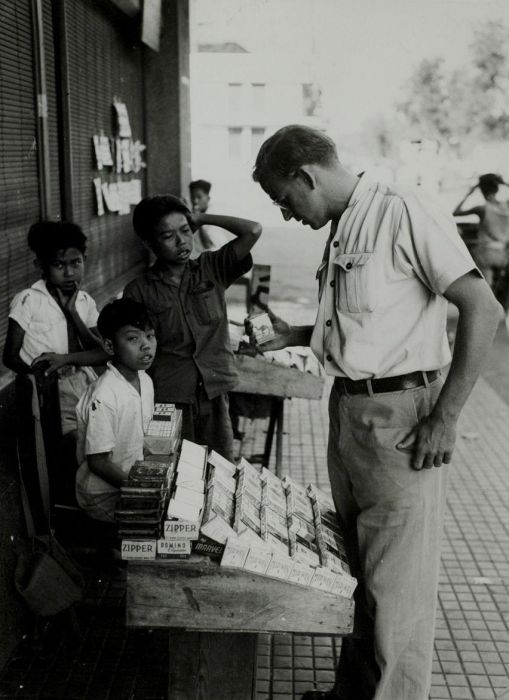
[214,614]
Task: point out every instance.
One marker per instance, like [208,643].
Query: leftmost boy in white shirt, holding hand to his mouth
[52,322]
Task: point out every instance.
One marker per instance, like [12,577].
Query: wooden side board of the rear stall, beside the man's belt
[262,377]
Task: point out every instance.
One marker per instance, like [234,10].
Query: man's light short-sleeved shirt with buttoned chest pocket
[386,267]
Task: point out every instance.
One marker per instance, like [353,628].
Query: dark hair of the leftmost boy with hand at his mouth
[46,238]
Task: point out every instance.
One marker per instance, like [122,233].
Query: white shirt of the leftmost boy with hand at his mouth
[43,321]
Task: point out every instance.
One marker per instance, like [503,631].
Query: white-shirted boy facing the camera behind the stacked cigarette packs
[116,409]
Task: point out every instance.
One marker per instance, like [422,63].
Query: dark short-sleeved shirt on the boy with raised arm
[191,325]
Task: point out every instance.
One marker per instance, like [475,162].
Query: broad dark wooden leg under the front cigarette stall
[212,665]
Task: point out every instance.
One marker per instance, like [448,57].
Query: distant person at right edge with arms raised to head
[491,250]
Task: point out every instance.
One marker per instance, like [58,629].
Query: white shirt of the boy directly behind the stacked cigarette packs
[112,417]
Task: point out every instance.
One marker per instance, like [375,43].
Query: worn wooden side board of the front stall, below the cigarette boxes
[201,595]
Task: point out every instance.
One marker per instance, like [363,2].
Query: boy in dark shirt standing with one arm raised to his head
[194,366]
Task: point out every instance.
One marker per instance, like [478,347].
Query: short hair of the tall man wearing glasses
[289,149]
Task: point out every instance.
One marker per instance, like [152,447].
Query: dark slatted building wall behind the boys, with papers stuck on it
[91,54]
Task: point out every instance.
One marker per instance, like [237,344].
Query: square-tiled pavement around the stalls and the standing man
[107,662]
